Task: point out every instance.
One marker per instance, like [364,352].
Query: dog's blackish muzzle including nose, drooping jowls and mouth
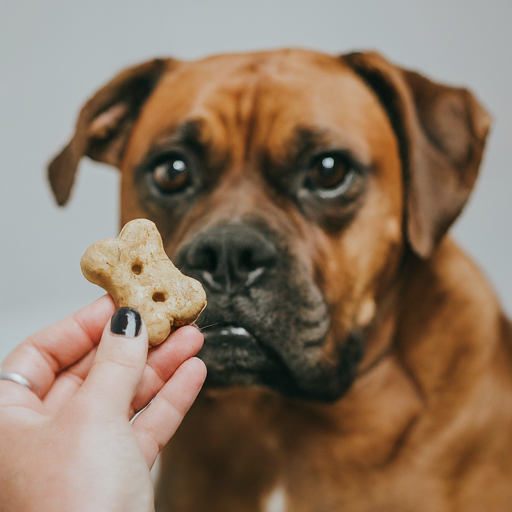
[266,321]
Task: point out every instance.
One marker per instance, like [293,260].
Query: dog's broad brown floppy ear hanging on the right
[441,133]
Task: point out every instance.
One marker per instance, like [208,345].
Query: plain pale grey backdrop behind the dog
[56,53]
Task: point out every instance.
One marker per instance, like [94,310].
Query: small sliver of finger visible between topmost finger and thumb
[68,383]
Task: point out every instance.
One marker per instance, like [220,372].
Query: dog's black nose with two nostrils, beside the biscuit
[230,258]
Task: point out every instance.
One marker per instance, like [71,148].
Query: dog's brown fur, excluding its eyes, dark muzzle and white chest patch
[426,424]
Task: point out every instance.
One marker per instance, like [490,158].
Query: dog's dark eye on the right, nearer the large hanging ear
[330,176]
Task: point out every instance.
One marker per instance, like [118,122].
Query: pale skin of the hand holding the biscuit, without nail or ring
[68,444]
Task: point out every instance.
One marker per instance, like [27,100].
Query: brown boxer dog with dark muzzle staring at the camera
[357,359]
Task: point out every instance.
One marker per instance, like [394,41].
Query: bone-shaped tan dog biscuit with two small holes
[137,273]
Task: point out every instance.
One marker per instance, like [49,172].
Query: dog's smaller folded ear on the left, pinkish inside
[104,124]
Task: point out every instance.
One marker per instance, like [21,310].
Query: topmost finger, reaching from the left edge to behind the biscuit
[44,354]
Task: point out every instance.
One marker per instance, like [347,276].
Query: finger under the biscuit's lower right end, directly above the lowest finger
[163,361]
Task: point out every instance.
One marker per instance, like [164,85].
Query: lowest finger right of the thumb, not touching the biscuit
[157,424]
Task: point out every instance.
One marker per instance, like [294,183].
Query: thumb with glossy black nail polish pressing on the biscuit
[119,362]
